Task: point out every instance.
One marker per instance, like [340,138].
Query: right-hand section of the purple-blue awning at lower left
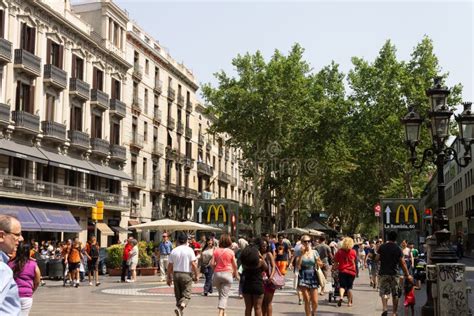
[54,220]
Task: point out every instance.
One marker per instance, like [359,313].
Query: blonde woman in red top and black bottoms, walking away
[345,263]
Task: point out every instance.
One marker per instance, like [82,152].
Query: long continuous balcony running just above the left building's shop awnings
[26,188]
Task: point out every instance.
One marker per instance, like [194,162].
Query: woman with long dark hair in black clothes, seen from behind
[253,266]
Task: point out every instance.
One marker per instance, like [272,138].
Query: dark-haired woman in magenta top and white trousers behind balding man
[27,276]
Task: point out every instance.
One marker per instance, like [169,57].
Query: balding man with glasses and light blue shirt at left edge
[10,237]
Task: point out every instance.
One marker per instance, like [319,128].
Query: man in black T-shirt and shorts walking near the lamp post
[390,257]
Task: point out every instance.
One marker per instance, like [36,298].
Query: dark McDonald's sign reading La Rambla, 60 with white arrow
[401,213]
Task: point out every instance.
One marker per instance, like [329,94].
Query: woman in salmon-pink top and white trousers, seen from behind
[225,269]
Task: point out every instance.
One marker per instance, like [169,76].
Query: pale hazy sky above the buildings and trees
[207,35]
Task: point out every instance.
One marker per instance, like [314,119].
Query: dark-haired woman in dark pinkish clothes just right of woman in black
[269,289]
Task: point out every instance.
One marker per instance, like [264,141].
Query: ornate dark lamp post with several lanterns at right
[439,154]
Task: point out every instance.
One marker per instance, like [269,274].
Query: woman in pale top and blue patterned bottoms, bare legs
[307,278]
